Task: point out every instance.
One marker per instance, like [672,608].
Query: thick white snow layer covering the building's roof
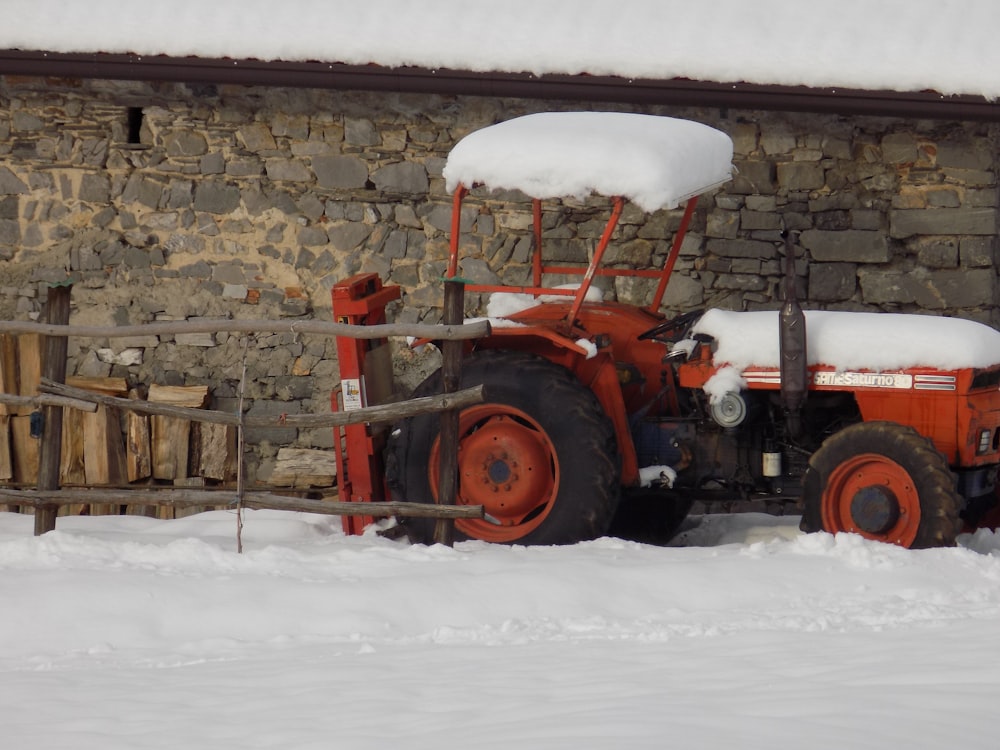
[846,43]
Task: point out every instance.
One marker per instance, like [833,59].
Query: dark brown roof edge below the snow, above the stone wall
[321,75]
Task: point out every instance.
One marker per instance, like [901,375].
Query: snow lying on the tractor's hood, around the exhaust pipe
[852,341]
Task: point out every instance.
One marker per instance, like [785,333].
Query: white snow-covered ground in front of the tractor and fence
[129,632]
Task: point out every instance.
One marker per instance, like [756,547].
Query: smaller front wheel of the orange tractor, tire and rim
[884,481]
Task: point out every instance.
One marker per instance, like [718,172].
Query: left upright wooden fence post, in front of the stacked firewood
[54,349]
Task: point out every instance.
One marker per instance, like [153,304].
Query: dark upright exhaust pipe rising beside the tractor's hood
[792,344]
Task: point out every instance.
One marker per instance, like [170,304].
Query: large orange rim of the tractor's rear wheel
[507,464]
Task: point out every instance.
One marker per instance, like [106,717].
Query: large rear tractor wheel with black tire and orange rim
[554,479]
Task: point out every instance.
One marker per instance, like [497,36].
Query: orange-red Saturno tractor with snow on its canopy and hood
[599,413]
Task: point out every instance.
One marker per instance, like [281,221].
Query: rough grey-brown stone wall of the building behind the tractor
[166,201]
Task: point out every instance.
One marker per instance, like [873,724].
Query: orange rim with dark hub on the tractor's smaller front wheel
[873,496]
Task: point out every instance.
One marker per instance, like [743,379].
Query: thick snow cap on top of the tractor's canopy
[657,162]
